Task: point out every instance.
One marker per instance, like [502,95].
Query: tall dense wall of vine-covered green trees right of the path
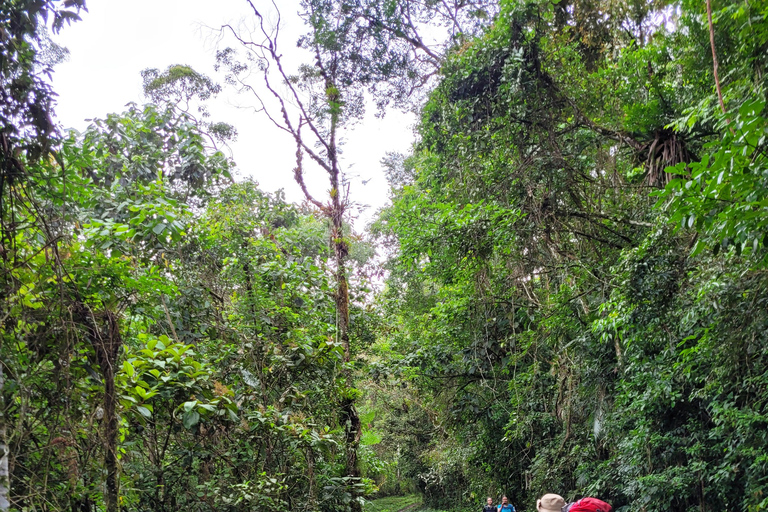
[559,336]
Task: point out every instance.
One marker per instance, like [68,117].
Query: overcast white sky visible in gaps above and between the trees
[118,38]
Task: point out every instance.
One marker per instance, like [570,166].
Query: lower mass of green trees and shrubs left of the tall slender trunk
[221,319]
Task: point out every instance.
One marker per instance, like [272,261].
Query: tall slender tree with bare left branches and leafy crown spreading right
[353,48]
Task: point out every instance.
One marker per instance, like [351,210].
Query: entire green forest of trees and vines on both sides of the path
[575,286]
